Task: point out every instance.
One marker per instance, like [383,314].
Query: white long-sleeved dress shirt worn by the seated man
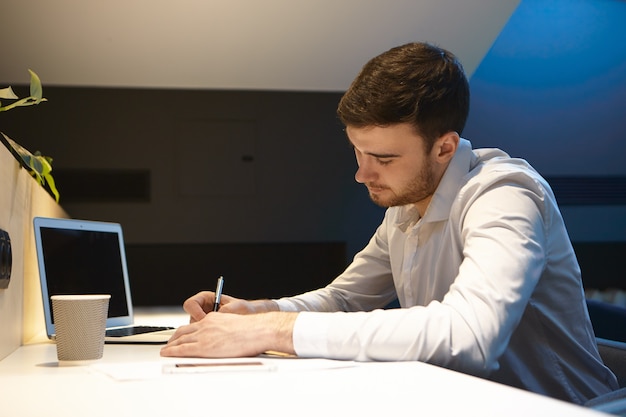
[487,280]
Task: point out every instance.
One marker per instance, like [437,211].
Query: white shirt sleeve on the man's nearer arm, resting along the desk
[502,239]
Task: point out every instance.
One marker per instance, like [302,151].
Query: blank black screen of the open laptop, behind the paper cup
[84,262]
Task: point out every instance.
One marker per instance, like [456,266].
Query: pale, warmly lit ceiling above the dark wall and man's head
[230,44]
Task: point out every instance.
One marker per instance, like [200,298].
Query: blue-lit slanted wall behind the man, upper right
[552,89]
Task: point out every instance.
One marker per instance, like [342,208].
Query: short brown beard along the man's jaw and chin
[419,188]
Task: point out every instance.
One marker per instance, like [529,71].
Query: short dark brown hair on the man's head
[416,83]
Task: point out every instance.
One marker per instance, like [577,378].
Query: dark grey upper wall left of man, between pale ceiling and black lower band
[295,182]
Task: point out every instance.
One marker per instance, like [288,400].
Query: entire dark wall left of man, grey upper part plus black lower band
[266,179]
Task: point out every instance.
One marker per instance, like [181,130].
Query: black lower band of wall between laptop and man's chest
[166,274]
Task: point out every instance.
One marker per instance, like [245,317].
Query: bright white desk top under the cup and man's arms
[32,384]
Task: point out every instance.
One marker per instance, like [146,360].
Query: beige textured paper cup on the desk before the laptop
[80,322]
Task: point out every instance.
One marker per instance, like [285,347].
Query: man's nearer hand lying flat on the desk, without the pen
[233,335]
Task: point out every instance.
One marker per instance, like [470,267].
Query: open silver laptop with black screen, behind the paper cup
[88,257]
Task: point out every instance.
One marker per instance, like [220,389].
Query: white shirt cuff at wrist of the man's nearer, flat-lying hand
[310,334]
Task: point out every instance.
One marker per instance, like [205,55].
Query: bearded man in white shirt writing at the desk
[472,245]
